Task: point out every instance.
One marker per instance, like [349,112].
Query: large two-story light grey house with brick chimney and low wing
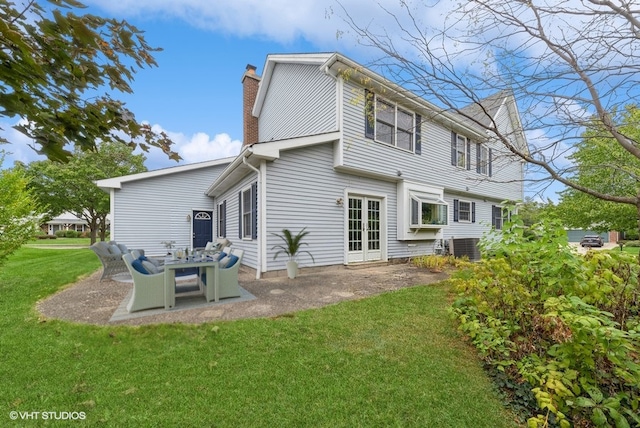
[385,179]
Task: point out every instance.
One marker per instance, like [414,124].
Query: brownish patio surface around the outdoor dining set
[93,302]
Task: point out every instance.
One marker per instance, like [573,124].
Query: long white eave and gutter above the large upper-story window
[339,64]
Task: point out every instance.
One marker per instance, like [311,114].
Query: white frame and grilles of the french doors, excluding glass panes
[369,200]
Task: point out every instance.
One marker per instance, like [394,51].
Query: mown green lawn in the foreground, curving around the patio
[390,360]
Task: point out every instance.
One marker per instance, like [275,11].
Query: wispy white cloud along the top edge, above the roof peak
[279,20]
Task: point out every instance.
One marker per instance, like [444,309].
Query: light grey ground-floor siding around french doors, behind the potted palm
[309,200]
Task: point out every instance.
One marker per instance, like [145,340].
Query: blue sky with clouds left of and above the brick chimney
[195,94]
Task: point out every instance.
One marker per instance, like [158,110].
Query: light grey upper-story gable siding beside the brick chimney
[301,100]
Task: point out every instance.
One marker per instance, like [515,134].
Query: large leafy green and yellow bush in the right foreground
[566,325]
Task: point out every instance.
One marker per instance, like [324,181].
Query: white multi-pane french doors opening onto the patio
[364,229]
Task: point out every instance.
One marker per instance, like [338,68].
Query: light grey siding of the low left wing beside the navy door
[152,210]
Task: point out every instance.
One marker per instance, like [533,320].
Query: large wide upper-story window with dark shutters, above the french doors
[387,123]
